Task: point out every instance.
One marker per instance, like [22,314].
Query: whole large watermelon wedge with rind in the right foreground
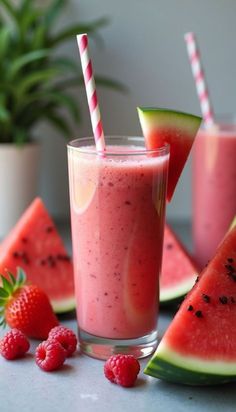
[199,347]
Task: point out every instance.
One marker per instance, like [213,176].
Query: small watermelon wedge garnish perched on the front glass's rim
[178,129]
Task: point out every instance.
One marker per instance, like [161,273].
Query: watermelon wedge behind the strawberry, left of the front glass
[35,245]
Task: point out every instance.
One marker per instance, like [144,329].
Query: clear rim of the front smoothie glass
[73,144]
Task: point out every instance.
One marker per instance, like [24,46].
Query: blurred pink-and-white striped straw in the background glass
[199,77]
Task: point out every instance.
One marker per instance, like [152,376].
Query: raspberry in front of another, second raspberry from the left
[50,355]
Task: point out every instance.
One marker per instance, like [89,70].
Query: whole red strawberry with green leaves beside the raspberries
[25,307]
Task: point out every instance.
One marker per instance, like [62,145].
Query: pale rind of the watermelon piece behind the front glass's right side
[177,292]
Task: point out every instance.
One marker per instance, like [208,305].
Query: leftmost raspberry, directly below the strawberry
[14,344]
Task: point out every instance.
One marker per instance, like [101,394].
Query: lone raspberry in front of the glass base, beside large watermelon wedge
[122,369]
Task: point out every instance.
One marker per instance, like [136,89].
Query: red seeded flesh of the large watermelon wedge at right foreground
[211,336]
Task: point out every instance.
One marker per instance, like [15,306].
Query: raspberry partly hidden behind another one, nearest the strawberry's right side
[65,337]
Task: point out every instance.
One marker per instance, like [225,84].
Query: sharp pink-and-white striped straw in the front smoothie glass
[82,40]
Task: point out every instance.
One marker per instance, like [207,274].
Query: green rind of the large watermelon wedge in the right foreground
[173,367]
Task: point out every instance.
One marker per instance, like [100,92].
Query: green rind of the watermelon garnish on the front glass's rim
[168,118]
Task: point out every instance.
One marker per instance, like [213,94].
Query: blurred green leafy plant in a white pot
[35,82]
